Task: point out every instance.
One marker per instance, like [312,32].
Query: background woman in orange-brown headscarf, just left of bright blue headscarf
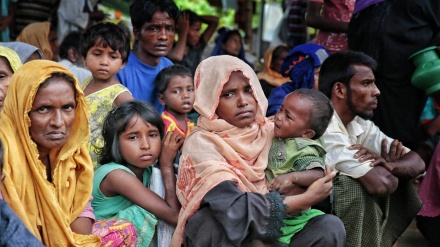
[271,76]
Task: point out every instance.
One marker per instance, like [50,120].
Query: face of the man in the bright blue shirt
[156,37]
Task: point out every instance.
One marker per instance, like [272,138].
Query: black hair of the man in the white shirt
[338,67]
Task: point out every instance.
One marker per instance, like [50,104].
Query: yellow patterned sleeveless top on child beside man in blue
[100,103]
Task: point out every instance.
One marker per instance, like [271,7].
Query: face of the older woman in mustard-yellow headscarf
[52,115]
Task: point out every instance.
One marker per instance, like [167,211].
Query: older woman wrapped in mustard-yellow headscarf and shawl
[48,171]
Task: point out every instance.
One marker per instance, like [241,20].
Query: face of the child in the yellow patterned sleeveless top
[103,62]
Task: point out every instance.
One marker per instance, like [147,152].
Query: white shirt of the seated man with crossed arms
[337,138]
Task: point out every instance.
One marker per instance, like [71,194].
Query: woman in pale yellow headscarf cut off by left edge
[9,63]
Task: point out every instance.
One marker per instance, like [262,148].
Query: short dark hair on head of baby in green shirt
[321,112]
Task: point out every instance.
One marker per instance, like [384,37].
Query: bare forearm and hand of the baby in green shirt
[289,181]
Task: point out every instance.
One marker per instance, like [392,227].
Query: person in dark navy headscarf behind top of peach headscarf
[230,42]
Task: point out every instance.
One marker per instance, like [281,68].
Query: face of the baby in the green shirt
[292,120]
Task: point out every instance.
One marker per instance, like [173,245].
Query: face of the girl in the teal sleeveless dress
[140,144]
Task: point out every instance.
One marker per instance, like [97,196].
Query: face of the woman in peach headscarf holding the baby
[237,104]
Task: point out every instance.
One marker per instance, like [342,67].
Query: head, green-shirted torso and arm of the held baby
[296,158]
